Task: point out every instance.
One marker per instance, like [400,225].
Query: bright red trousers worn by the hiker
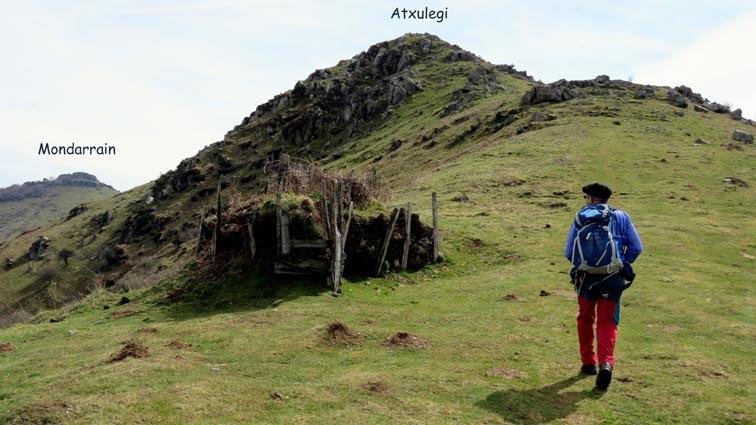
[606,329]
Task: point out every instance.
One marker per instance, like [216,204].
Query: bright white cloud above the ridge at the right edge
[719,64]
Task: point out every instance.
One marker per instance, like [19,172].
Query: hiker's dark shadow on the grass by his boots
[539,405]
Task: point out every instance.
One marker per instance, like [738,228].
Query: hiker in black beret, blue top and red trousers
[601,245]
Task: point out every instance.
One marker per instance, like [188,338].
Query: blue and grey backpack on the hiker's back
[597,246]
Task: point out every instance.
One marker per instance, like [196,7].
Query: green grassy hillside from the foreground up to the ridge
[498,315]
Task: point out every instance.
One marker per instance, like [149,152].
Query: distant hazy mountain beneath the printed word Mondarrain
[32,204]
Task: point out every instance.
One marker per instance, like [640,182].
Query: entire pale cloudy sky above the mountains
[162,79]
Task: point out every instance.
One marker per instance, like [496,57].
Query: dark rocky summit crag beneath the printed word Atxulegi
[342,98]
